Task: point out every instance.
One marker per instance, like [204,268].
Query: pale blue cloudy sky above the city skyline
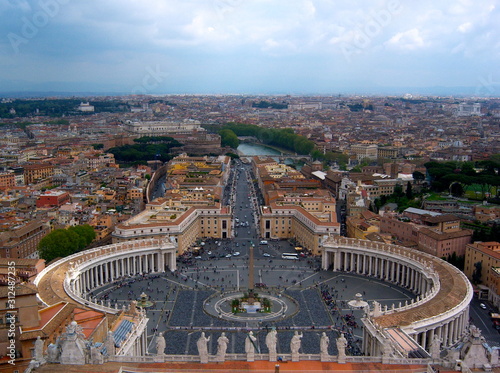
[250,46]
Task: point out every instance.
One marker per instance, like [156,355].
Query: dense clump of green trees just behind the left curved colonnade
[63,242]
